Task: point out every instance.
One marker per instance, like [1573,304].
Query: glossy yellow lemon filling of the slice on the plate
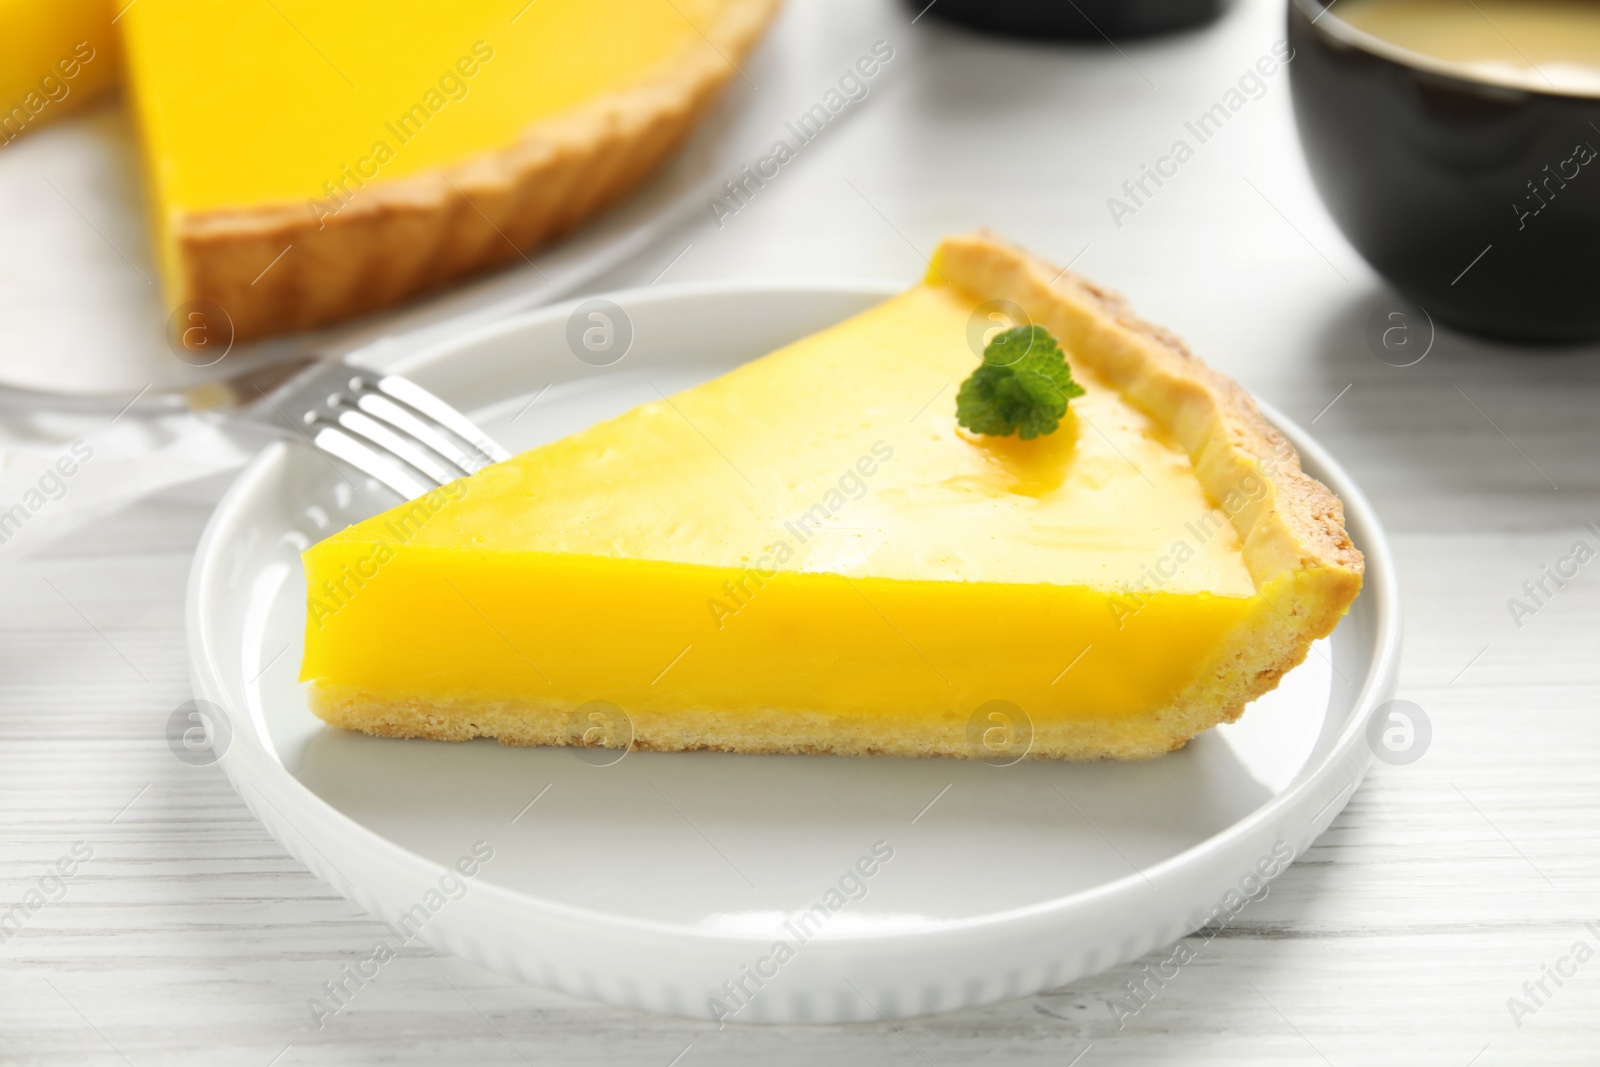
[809,532]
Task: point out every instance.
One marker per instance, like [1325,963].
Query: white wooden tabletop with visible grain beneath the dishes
[191,937]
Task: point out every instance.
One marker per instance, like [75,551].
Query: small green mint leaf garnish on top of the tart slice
[1023,386]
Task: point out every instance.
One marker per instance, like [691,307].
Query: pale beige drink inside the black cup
[1550,46]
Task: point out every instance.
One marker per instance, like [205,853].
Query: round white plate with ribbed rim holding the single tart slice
[666,881]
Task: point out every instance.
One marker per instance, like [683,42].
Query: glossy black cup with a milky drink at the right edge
[1478,201]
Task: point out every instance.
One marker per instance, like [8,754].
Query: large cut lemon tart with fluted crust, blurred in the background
[316,161]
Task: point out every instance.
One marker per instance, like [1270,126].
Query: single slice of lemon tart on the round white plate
[815,554]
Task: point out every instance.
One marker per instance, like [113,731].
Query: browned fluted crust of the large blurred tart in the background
[414,234]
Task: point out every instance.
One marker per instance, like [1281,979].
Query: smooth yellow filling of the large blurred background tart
[375,90]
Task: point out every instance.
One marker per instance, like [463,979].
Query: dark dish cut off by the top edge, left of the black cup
[1089,20]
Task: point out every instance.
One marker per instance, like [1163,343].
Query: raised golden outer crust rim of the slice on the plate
[1292,532]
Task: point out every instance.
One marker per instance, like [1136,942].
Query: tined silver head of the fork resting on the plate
[383,425]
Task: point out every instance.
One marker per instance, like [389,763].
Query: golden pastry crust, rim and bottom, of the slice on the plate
[1292,540]
